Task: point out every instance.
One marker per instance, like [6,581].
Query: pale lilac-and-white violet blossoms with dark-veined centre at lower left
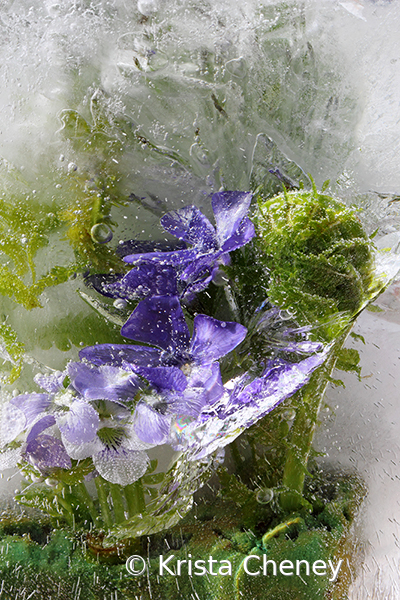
[80,421]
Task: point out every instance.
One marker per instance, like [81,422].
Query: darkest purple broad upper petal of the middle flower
[158,321]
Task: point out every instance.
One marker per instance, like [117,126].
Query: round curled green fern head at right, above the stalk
[319,258]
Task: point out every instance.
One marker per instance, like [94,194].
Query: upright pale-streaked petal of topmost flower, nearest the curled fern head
[229,208]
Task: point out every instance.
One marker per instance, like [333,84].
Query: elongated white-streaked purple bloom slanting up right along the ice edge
[242,405]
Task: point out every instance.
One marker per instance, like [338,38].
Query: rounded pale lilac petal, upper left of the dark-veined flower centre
[82,423]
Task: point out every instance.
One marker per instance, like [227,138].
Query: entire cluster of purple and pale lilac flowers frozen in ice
[166,387]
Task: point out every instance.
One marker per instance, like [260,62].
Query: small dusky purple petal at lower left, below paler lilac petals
[46,452]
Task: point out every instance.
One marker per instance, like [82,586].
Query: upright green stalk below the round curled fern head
[303,430]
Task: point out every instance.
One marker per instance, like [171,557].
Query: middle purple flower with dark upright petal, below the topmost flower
[182,370]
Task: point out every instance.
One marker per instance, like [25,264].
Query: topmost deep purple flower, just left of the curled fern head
[186,271]
